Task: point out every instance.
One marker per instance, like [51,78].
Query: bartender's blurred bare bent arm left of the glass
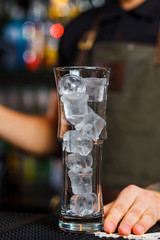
[36,134]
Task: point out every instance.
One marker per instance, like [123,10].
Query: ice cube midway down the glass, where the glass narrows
[77,142]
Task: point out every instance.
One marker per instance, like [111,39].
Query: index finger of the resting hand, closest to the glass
[119,208]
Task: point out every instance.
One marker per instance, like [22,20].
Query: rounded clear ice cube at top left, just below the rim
[71,83]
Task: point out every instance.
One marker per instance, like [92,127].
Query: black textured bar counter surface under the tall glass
[28,226]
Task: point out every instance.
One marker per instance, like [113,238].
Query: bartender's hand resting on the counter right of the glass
[136,209]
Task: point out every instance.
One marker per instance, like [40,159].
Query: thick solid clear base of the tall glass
[81,225]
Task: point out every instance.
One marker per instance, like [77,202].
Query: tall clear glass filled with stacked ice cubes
[82,93]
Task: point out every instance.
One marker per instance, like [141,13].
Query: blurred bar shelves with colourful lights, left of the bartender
[30,31]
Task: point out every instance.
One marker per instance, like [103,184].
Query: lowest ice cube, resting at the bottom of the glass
[84,204]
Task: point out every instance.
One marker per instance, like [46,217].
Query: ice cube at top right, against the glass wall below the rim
[95,88]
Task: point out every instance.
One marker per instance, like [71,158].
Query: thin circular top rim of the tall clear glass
[87,68]
